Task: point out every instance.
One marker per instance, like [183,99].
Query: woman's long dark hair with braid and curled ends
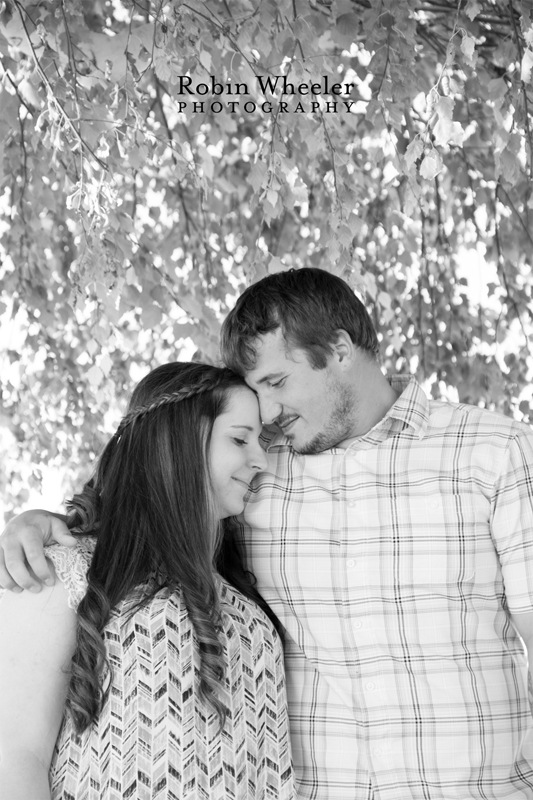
[151,507]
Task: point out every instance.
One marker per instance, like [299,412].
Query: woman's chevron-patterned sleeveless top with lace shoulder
[155,739]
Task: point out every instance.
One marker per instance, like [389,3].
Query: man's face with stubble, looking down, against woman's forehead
[315,408]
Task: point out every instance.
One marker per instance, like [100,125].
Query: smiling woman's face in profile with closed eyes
[235,454]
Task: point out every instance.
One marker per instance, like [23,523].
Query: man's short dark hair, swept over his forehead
[310,306]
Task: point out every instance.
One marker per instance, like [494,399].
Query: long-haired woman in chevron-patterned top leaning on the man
[171,674]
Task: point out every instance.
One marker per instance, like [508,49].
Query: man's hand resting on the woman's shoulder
[22,561]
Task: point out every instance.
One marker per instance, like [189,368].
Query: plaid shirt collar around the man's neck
[411,409]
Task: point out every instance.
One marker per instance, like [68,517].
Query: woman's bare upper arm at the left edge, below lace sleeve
[37,641]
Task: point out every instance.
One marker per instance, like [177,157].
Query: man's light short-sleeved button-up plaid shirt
[394,565]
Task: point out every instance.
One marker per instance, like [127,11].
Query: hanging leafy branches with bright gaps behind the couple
[131,219]
